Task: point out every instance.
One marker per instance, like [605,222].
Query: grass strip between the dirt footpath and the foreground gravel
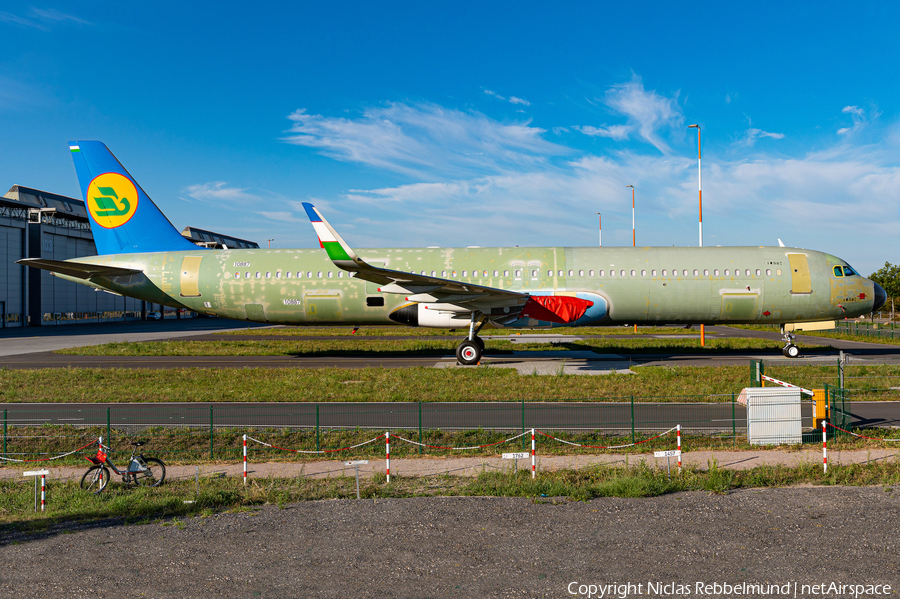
[68,505]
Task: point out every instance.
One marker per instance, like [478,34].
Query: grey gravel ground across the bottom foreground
[472,547]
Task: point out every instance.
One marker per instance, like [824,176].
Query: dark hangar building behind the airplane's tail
[39,224]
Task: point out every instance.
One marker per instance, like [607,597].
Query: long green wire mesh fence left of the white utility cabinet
[213,430]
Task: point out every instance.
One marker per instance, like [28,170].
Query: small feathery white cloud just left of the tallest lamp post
[648,114]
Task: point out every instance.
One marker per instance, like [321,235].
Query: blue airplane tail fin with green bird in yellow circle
[124,219]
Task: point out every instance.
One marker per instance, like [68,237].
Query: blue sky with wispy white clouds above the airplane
[454,124]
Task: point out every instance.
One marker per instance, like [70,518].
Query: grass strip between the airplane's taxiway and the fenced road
[649,383]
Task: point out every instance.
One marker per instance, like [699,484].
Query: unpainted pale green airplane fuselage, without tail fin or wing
[741,285]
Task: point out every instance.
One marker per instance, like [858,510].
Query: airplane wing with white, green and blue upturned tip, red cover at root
[500,305]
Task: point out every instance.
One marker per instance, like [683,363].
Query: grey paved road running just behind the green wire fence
[610,417]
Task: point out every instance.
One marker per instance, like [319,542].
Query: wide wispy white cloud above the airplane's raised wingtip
[424,140]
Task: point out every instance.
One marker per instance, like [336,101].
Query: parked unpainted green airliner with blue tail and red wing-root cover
[142,255]
